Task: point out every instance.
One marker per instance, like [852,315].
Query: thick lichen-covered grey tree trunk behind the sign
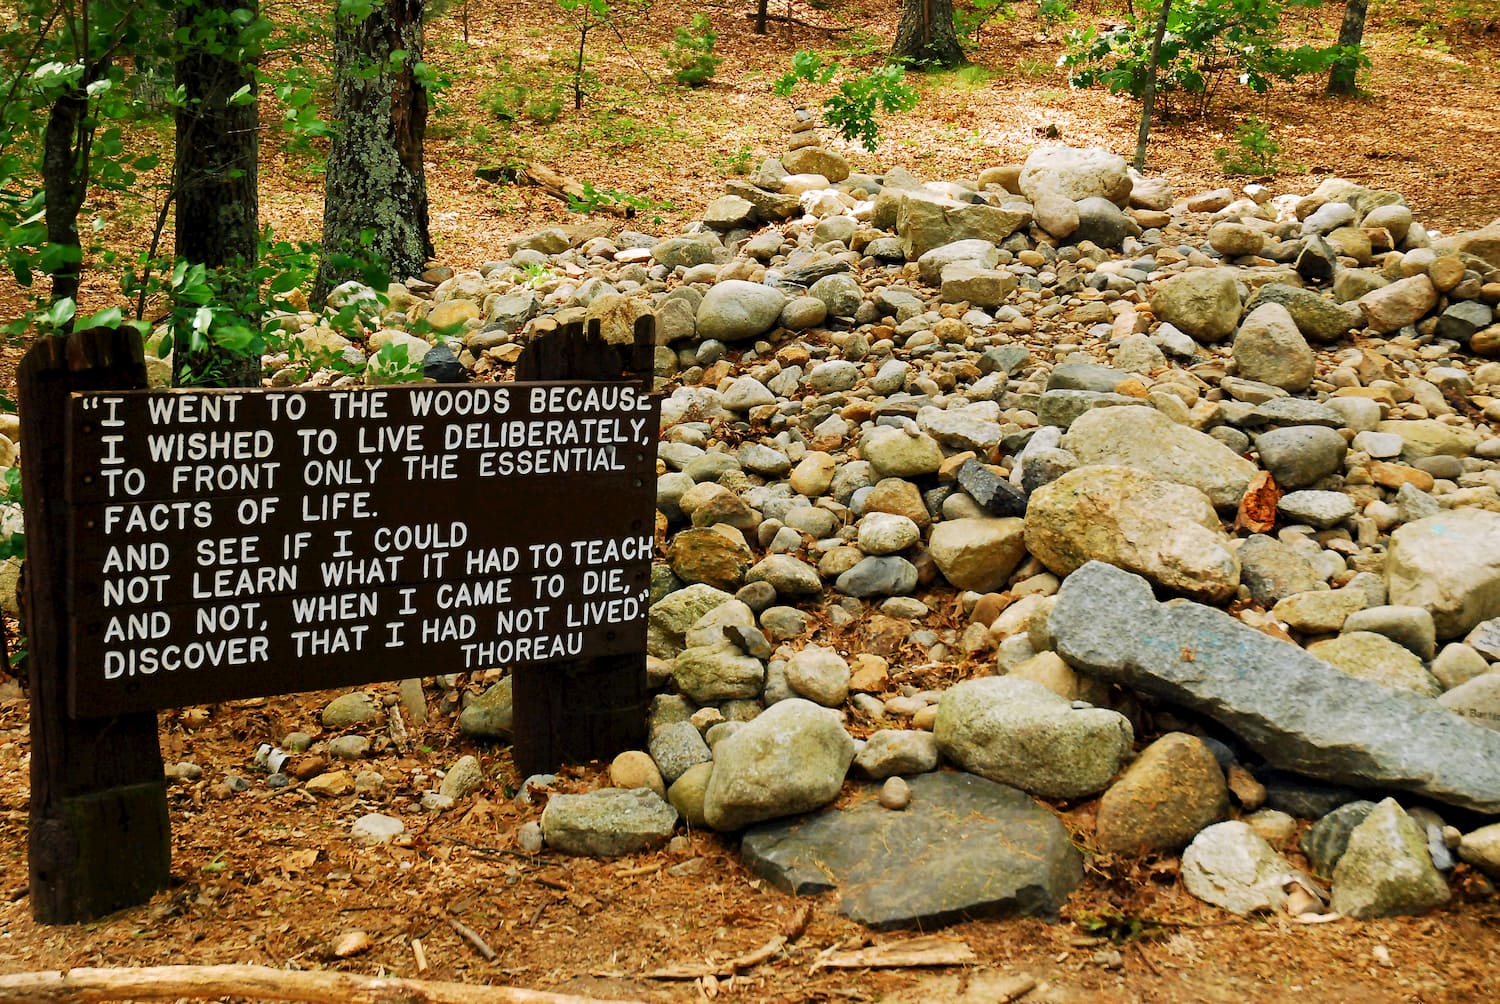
[376,179]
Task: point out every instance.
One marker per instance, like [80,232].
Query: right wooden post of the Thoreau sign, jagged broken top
[589,709]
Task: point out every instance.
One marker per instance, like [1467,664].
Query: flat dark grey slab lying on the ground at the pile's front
[964,849]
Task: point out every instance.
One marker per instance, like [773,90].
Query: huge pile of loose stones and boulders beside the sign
[1222,472]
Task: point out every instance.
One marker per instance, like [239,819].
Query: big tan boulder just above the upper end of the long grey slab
[1153,528]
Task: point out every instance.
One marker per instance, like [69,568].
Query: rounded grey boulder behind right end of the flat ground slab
[1019,733]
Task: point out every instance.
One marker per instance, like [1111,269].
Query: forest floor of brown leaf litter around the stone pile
[272,879]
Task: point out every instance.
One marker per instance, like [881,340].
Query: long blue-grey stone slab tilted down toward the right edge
[1295,711]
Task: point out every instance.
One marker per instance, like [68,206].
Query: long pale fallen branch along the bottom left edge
[260,982]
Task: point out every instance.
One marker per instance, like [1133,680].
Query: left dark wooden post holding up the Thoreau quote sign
[100,832]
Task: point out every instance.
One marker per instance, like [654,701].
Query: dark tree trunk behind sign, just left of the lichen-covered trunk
[215,173]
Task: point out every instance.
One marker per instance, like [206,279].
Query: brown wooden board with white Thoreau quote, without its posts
[235,544]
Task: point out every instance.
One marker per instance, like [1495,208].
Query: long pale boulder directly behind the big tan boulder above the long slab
[1150,442]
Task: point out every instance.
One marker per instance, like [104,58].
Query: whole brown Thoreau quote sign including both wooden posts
[208,546]
